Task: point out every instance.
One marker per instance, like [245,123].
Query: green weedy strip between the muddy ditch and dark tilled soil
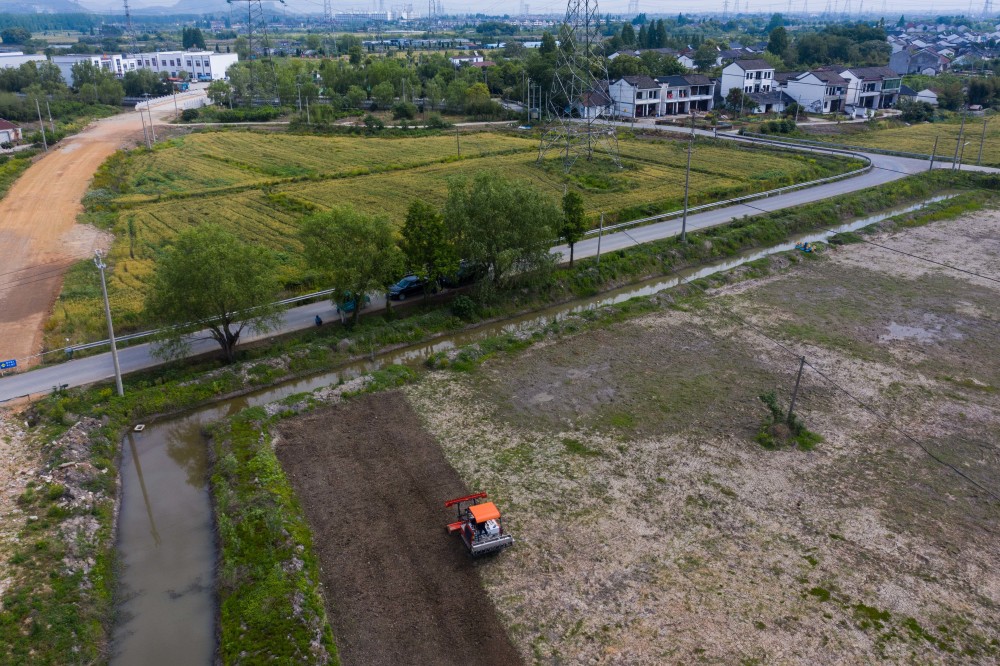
[270,603]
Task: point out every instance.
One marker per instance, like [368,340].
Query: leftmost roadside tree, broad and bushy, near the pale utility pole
[210,279]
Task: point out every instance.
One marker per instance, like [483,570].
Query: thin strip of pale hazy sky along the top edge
[513,7]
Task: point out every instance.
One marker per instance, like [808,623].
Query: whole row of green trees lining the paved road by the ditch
[212,277]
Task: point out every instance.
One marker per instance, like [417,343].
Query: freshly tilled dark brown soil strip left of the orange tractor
[399,589]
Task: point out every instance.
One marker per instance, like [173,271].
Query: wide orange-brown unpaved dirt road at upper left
[39,237]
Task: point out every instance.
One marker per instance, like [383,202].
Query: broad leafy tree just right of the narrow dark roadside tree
[503,225]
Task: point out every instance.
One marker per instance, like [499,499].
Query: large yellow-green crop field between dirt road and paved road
[261,184]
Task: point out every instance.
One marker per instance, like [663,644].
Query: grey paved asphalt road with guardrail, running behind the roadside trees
[97,368]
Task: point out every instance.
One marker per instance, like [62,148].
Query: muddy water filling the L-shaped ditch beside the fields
[166,539]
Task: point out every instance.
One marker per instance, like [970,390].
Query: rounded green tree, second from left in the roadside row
[354,252]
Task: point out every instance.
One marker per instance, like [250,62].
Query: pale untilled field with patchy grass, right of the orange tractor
[653,529]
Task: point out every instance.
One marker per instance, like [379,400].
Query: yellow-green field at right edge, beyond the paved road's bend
[919,138]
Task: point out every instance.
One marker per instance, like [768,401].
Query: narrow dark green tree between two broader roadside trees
[428,245]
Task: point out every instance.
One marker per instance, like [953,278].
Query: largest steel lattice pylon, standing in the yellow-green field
[580,83]
